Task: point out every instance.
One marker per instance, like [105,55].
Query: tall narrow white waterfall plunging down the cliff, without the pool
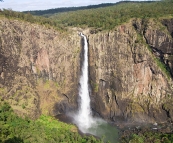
[83,117]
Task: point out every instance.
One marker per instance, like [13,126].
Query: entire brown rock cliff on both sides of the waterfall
[131,70]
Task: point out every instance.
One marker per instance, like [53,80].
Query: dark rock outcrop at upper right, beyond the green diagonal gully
[160,40]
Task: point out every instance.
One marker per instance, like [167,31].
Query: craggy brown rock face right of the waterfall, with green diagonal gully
[127,78]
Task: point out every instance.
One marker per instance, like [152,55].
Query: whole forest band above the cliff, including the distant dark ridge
[104,16]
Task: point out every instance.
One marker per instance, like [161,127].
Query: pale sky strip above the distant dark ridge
[22,5]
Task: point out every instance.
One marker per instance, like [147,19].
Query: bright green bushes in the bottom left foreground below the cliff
[14,129]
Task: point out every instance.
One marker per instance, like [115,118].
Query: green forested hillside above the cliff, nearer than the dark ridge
[109,17]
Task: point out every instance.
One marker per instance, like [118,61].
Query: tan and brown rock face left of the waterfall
[38,68]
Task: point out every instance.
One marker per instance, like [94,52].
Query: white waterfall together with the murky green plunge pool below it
[83,118]
